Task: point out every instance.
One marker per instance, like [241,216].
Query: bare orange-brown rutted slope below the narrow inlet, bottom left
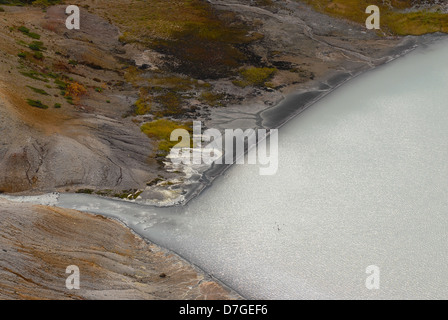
[38,243]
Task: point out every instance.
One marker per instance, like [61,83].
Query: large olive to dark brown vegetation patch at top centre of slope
[201,41]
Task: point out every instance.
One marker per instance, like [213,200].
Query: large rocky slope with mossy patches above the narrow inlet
[83,108]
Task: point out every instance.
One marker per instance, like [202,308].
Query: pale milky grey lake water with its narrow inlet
[362,180]
